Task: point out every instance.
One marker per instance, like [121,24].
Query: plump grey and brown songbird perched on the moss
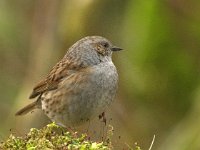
[80,86]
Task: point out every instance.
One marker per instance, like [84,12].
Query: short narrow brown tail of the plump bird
[28,108]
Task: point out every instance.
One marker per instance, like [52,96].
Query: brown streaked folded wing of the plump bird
[62,69]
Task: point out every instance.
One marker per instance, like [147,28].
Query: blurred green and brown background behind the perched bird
[159,89]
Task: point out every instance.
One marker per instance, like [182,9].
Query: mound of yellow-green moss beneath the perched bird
[52,137]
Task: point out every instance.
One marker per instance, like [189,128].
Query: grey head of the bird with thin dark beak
[92,50]
